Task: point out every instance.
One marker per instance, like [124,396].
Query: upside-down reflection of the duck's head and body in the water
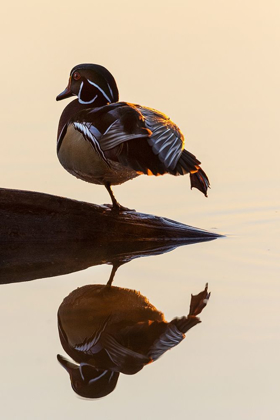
[110,330]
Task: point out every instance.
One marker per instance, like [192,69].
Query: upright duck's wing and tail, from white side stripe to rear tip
[142,139]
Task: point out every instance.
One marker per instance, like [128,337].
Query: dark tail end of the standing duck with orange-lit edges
[189,164]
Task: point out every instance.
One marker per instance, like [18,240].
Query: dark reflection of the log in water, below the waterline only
[30,260]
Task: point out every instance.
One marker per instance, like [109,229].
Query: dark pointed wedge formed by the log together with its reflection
[43,235]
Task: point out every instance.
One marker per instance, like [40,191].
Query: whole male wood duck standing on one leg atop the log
[103,141]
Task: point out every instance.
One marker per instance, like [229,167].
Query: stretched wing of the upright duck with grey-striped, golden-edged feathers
[150,142]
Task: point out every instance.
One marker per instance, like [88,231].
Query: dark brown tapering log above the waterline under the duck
[32,216]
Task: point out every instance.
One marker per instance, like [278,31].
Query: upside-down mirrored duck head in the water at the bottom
[87,381]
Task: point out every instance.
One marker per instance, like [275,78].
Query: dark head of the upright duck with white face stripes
[93,84]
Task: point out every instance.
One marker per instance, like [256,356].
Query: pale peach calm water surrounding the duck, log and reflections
[224,94]
